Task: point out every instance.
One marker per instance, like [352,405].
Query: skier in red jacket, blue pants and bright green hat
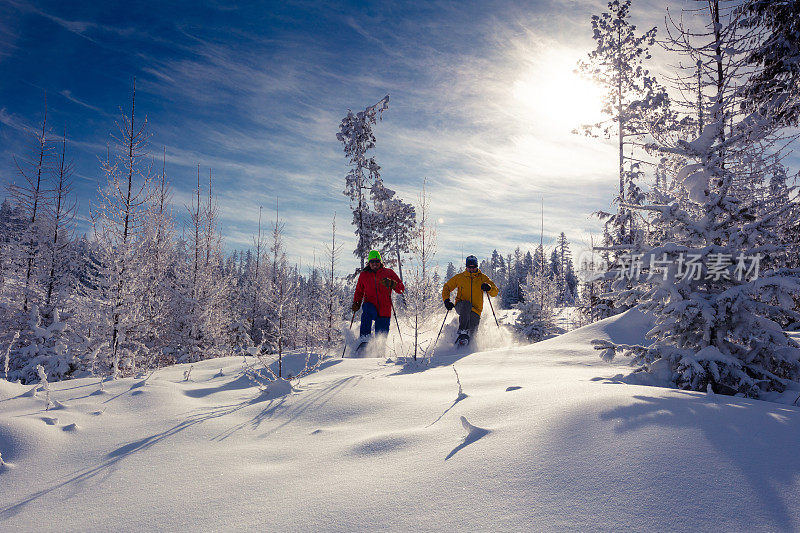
[374,287]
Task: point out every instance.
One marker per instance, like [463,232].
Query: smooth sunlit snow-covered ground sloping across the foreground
[538,437]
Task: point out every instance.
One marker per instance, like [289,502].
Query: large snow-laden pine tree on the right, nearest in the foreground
[719,296]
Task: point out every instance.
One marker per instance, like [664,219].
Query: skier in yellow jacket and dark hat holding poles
[469,286]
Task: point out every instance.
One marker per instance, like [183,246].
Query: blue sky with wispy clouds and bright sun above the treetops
[482,101]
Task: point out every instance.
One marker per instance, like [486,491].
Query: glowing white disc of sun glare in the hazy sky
[554,96]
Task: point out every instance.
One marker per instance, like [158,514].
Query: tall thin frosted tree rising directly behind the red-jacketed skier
[356,135]
